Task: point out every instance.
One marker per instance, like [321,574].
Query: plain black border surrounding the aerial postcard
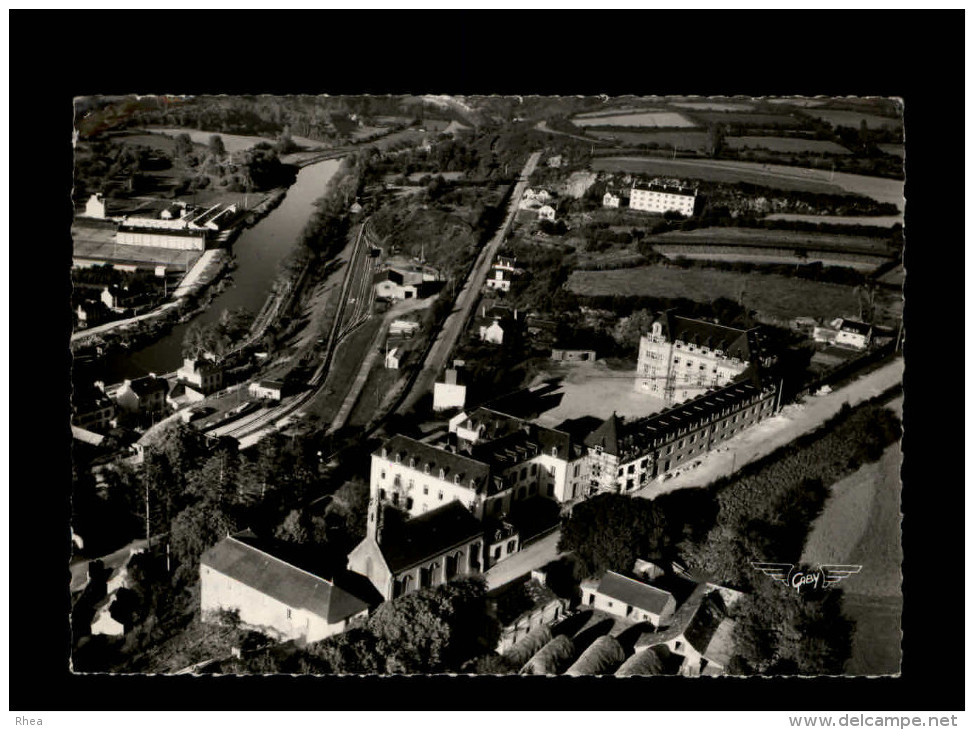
[56,55]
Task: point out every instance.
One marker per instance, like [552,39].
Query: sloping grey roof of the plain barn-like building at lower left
[273,577]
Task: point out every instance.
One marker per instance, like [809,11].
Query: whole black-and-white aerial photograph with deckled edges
[487,385]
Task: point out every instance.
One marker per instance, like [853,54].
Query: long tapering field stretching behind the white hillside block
[783,177]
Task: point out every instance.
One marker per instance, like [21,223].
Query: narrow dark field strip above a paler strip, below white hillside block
[776,239]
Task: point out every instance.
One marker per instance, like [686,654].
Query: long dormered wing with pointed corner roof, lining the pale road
[627,455]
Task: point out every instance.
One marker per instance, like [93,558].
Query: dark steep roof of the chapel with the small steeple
[429,535]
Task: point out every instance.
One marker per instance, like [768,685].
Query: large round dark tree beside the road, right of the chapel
[610,531]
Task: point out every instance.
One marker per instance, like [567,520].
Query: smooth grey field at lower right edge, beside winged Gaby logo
[860,525]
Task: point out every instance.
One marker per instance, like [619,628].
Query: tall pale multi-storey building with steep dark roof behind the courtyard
[682,357]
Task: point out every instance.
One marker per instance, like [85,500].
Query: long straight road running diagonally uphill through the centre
[467,299]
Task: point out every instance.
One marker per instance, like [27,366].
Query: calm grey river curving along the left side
[257,253]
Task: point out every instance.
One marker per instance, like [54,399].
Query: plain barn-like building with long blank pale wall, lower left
[272,595]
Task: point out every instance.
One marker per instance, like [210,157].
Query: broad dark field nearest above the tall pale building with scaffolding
[780,298]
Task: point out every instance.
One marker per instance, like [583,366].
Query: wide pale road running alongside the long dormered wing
[783,428]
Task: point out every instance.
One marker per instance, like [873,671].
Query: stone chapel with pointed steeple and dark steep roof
[421,552]
